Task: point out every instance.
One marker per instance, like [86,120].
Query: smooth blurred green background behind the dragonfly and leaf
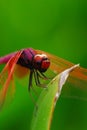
[58,27]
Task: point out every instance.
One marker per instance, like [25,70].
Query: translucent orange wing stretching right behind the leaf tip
[77,79]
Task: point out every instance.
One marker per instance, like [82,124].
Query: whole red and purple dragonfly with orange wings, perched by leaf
[38,62]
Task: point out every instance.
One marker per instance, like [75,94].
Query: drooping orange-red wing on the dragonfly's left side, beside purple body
[6,77]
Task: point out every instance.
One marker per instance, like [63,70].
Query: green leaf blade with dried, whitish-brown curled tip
[46,103]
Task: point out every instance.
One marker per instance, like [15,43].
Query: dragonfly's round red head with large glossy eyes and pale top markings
[41,62]
